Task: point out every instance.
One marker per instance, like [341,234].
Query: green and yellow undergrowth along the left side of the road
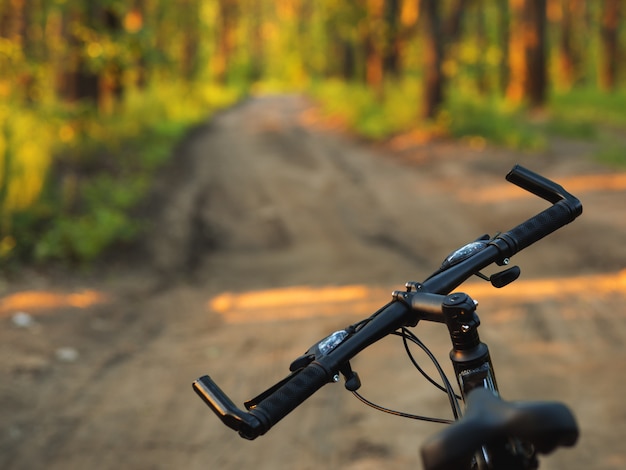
[98,170]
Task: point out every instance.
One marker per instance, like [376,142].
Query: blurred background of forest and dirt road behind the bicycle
[193,186]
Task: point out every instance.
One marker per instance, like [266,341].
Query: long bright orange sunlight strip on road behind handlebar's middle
[309,302]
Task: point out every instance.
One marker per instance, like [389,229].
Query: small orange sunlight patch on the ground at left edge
[41,301]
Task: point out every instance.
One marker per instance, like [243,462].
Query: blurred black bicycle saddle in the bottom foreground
[489,419]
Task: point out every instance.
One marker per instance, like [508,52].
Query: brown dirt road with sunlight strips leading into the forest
[272,230]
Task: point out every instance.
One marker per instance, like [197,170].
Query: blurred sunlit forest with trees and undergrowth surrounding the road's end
[95,94]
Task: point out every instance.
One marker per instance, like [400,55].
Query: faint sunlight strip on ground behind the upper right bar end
[574,185]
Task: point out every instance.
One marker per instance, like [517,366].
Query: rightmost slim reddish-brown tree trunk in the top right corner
[610,44]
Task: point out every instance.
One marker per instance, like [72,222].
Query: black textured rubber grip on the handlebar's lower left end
[288,397]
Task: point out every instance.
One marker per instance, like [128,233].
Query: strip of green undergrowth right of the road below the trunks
[580,114]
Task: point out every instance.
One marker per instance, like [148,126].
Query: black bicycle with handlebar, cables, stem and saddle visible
[489,433]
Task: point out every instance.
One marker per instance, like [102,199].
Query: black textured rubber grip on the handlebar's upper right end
[535,228]
